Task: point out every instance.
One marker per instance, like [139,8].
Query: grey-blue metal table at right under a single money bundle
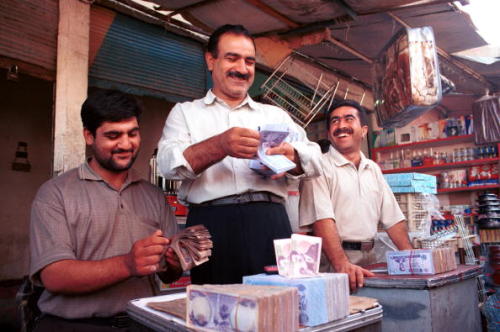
[443,302]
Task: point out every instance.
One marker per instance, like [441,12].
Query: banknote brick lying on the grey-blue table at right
[421,261]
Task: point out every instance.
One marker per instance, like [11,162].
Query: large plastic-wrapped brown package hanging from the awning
[406,77]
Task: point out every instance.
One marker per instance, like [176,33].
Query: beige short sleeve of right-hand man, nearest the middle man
[315,200]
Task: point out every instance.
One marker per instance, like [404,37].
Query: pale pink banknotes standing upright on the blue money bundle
[299,256]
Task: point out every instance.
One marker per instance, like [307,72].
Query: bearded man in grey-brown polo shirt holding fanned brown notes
[98,232]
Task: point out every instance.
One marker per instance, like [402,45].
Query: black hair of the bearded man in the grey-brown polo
[108,105]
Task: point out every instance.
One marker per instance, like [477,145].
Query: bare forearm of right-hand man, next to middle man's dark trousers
[332,244]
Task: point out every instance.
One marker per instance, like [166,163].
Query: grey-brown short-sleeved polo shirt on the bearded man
[78,216]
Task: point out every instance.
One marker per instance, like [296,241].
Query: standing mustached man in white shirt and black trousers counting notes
[208,143]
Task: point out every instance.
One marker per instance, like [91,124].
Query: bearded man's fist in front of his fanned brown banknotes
[144,257]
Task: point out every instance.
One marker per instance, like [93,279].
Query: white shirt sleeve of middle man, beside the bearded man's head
[174,140]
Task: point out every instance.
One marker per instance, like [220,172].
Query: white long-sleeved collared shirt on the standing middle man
[192,122]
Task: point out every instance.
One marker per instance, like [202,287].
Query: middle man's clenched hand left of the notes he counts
[240,142]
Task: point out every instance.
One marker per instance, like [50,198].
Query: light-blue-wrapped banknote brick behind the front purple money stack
[322,299]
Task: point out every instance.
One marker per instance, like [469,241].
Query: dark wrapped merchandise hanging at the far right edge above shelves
[486,112]
